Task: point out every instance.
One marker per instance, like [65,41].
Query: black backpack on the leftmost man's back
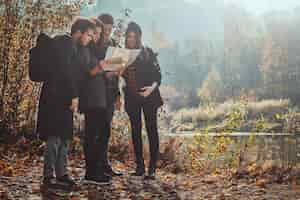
[41,58]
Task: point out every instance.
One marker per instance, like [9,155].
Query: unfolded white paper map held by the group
[120,57]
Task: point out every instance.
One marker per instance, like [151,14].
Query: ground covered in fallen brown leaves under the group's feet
[21,176]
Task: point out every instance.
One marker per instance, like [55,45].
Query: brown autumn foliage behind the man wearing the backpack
[20,23]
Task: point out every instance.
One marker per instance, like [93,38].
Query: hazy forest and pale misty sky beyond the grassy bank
[215,50]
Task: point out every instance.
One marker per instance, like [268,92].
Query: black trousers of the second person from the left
[96,141]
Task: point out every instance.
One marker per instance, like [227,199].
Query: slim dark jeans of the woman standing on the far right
[135,115]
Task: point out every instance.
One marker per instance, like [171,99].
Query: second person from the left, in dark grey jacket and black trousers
[92,102]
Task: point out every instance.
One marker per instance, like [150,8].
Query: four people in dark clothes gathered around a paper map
[78,74]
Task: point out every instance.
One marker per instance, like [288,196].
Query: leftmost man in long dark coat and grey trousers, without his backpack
[58,102]
